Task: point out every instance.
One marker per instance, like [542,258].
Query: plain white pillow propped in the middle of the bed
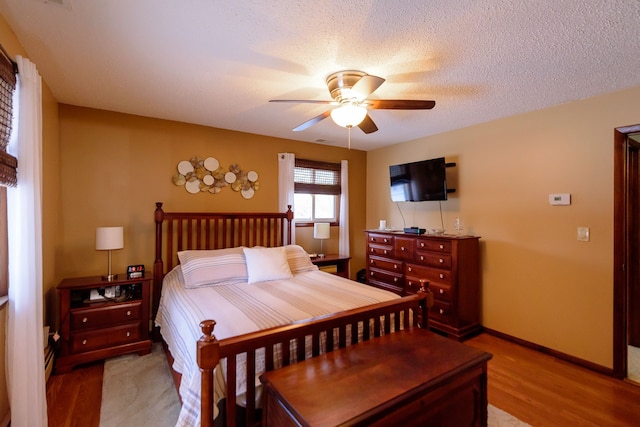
[267,264]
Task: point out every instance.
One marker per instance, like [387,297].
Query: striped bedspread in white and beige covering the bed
[242,308]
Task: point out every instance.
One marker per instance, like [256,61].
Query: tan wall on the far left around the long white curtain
[50,204]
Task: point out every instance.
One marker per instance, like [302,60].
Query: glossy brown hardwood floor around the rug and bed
[537,388]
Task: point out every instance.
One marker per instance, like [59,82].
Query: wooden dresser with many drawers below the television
[451,264]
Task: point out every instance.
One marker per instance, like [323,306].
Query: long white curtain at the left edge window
[25,347]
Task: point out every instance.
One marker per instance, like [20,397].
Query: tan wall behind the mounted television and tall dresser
[539,283]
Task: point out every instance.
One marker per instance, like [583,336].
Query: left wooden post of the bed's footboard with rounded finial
[207,356]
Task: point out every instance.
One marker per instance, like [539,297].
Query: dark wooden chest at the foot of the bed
[406,378]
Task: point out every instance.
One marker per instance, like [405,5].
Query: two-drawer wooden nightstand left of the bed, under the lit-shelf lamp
[94,327]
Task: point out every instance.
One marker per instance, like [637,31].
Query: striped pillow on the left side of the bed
[213,267]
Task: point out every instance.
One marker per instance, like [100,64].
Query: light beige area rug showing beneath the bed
[139,391]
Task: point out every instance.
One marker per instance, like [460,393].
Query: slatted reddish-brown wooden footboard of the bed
[334,327]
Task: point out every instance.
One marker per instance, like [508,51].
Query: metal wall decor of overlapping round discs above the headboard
[207,176]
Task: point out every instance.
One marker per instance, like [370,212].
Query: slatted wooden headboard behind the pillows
[180,231]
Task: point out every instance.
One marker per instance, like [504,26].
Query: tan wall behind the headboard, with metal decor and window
[114,167]
